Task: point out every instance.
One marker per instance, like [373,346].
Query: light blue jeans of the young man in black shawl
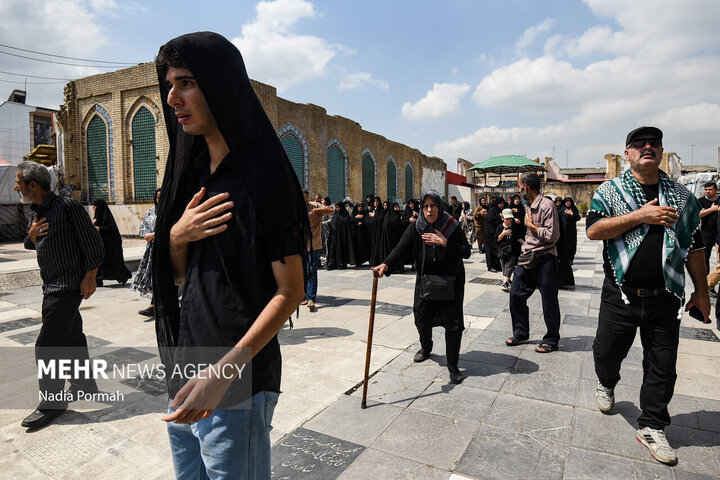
[229,444]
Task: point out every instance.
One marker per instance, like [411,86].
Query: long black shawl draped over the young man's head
[256,152]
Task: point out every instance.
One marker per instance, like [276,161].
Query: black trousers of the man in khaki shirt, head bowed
[543,277]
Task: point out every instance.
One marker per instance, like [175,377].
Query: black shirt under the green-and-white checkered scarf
[645,270]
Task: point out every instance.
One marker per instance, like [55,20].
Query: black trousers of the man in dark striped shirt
[61,337]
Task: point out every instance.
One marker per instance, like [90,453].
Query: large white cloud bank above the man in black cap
[639,64]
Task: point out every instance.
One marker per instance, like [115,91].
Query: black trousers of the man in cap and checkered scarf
[660,333]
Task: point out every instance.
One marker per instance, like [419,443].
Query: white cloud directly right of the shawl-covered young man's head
[275,54]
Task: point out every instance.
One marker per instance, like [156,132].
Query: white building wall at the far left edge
[15,131]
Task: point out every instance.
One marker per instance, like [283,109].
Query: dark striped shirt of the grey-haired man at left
[71,248]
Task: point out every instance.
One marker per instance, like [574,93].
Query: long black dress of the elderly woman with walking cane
[438,261]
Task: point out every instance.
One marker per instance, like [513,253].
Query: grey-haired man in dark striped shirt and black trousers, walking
[69,252]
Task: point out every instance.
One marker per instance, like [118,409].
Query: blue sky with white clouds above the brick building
[469,79]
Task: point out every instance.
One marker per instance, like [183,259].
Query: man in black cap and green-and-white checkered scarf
[648,224]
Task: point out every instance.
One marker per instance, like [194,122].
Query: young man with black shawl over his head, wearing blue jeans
[241,268]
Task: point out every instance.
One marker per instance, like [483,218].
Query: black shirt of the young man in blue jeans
[229,278]
